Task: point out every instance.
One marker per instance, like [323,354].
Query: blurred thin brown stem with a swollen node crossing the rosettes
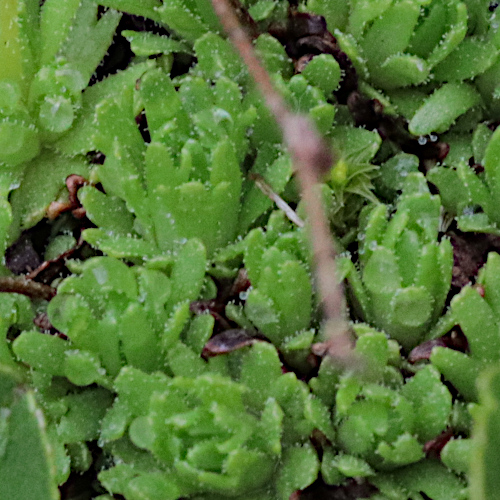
[312,158]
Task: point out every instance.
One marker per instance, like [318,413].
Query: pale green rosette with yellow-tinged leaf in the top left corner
[51,53]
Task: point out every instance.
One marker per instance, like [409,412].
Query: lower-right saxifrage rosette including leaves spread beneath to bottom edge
[383,420]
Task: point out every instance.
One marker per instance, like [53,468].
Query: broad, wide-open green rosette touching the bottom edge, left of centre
[210,433]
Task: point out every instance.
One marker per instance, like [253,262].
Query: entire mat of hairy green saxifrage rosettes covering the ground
[124,375]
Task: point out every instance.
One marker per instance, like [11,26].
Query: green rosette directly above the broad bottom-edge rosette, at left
[114,315]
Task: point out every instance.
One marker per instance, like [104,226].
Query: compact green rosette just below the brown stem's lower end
[385,423]
